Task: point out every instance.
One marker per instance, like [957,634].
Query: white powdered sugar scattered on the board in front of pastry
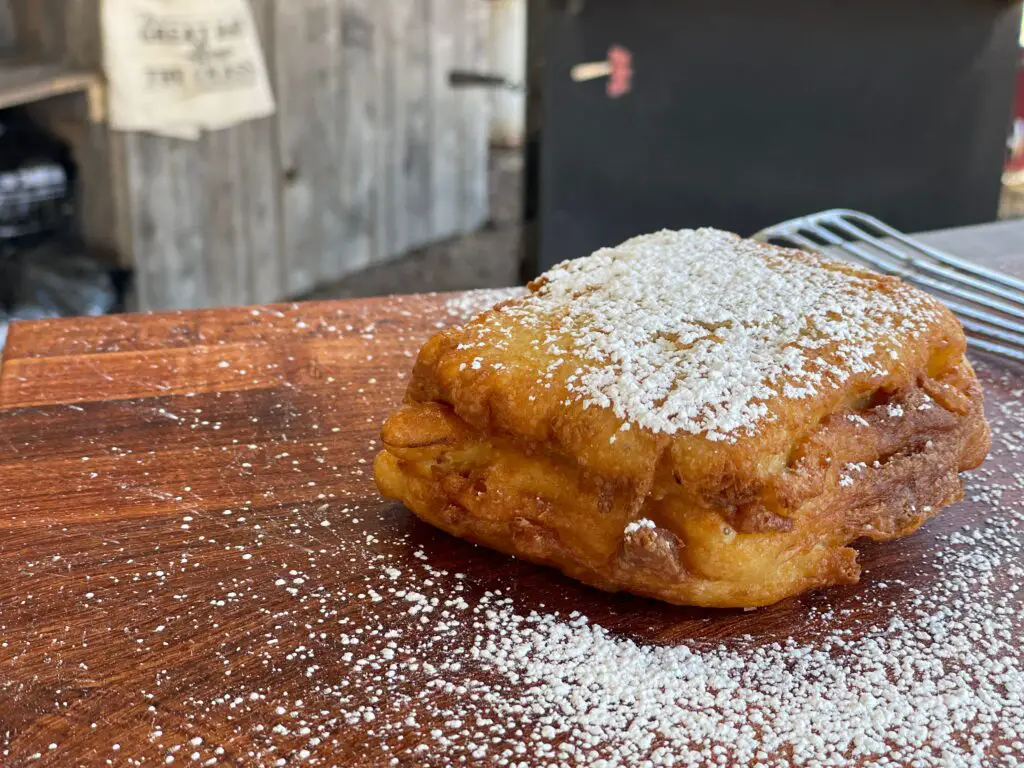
[467,676]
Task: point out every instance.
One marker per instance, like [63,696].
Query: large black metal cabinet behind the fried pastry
[744,113]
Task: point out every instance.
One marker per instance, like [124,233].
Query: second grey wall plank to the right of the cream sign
[361,123]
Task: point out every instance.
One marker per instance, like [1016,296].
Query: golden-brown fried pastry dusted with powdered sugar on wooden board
[693,417]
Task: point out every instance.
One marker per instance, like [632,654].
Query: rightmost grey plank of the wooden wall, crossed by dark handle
[475,204]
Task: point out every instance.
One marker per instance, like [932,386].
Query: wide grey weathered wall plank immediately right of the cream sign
[308,63]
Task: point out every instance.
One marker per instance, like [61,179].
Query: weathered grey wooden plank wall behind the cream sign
[371,153]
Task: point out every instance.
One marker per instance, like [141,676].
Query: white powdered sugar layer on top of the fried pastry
[697,330]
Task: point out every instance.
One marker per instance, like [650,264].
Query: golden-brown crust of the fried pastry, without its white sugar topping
[497,446]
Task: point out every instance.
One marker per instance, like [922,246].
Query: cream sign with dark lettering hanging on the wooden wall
[177,68]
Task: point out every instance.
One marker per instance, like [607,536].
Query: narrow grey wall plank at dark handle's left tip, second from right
[446,140]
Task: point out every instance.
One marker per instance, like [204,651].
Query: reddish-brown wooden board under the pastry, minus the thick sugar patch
[198,571]
